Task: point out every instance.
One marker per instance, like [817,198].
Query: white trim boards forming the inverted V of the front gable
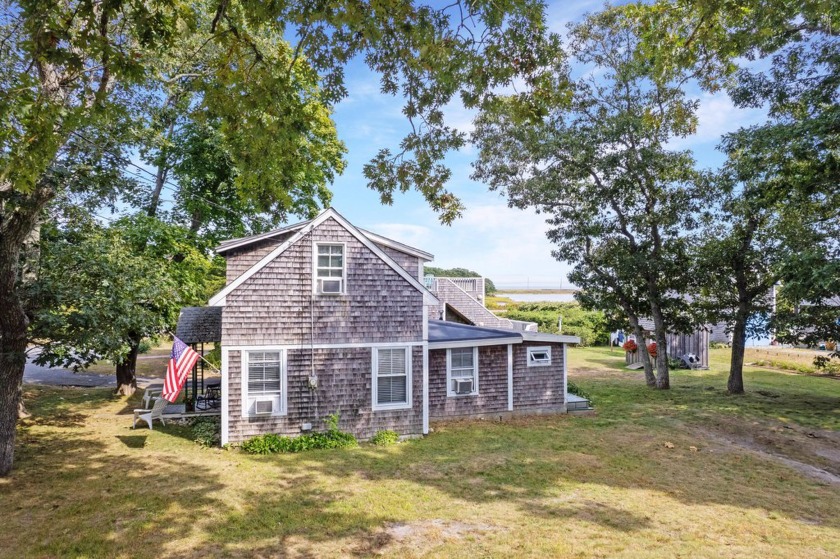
[301,231]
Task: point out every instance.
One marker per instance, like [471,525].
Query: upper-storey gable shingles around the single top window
[276,305]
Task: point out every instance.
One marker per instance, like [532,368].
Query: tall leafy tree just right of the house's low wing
[620,203]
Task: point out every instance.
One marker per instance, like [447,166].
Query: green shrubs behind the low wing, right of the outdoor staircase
[590,326]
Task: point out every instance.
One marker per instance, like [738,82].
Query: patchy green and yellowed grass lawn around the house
[690,472]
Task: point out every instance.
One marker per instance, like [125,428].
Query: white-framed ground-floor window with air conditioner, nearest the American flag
[263,386]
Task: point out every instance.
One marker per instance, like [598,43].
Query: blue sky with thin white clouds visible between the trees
[507,245]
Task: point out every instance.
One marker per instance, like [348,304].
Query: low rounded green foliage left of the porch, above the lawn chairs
[103,289]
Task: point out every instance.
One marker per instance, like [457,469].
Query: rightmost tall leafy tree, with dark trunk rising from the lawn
[789,166]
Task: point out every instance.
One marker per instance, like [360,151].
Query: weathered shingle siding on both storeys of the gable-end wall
[276,307]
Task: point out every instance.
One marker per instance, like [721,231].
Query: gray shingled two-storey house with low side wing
[322,317]
